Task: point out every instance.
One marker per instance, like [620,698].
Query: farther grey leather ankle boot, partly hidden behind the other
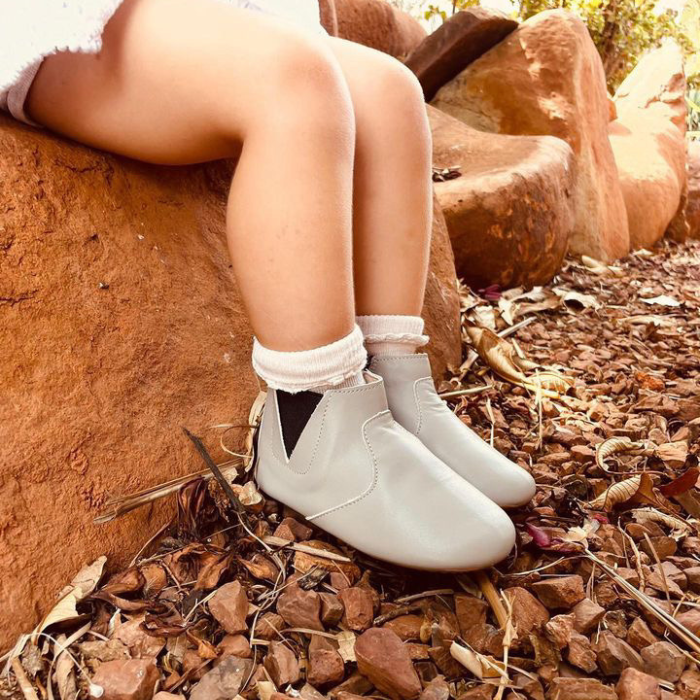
[415,404]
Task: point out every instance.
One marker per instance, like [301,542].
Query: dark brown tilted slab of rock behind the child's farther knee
[458,41]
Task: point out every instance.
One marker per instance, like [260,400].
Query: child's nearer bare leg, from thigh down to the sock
[181,81]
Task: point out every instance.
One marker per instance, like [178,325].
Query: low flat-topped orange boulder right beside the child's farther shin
[509,214]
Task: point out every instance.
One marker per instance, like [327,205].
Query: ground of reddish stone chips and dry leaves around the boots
[591,383]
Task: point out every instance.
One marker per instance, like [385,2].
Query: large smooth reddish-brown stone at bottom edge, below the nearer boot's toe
[383,658]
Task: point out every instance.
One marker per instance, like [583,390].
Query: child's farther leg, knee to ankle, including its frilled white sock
[393,198]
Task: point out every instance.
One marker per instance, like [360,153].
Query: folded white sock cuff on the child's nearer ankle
[333,366]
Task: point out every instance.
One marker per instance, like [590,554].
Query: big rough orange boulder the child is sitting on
[120,323]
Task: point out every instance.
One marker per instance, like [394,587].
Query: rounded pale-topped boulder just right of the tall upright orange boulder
[650,153]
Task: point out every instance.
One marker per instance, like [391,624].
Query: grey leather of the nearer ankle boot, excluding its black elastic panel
[356,473]
